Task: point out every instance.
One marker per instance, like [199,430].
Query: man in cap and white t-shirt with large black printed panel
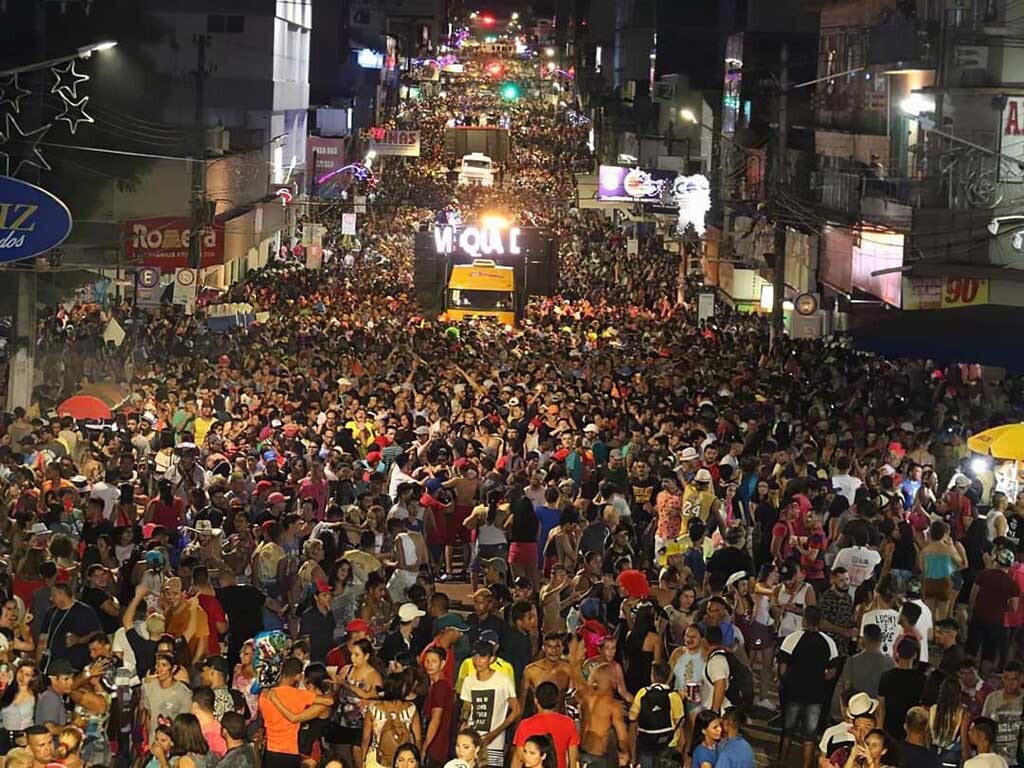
[489,703]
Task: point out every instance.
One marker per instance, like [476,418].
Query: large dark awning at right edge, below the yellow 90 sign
[987,335]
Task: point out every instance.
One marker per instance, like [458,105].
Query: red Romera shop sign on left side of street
[163,243]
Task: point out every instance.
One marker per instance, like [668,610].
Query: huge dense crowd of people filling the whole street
[356,534]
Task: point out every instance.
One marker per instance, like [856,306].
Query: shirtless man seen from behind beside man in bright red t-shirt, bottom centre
[601,712]
